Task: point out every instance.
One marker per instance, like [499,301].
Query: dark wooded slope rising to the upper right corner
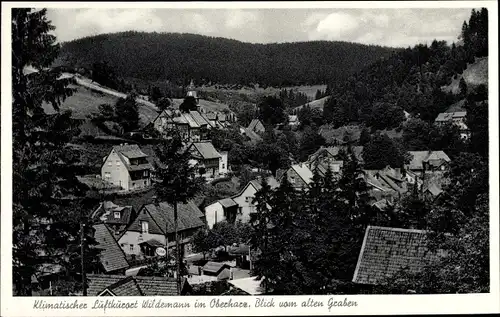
[416,80]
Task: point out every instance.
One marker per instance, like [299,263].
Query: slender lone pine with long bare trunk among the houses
[177,182]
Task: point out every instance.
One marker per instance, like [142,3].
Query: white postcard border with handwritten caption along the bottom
[371,304]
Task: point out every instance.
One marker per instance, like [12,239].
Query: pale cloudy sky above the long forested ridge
[387,27]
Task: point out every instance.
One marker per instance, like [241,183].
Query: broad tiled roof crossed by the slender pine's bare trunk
[189,216]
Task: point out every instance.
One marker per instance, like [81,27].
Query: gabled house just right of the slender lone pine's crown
[207,159]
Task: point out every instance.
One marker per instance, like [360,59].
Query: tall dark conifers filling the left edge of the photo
[49,204]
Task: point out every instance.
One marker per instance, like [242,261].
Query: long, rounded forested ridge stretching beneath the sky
[172,56]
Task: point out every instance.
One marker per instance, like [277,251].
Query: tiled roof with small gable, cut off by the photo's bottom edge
[119,285]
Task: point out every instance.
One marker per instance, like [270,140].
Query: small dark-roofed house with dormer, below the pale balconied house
[117,218]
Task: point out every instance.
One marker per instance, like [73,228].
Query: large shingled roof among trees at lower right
[387,250]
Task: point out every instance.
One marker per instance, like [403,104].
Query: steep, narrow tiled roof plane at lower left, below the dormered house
[111,256]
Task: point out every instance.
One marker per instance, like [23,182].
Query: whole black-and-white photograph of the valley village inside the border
[249,151]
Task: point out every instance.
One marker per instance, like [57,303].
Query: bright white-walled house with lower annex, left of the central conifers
[237,207]
